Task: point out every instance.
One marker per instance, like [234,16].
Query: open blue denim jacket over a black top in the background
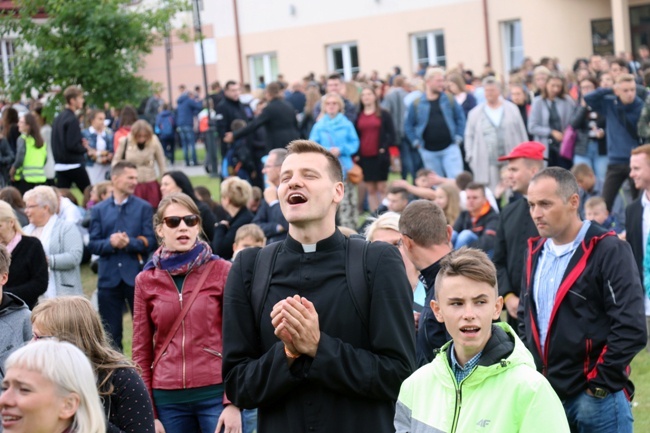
[417,119]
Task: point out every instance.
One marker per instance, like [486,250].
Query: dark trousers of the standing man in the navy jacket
[111,309]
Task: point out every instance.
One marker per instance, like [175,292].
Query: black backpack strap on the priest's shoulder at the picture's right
[355,271]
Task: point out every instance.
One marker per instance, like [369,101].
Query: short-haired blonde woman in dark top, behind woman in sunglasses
[235,193]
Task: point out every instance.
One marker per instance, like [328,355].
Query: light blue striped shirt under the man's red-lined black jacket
[553,262]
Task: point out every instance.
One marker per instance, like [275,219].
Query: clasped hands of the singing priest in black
[296,324]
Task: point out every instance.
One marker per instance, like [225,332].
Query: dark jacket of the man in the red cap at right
[513,231]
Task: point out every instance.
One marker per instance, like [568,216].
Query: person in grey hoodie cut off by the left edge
[15,323]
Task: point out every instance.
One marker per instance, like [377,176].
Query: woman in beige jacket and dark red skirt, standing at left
[143,148]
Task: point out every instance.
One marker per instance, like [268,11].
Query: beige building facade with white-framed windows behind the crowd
[263,38]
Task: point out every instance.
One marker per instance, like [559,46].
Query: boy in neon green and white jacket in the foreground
[484,359]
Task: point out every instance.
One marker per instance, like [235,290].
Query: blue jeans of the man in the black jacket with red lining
[587,414]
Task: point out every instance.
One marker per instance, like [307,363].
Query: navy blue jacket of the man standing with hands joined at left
[135,218]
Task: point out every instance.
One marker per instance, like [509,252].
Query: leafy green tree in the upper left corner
[97,44]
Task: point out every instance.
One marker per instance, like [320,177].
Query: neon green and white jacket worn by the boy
[504,393]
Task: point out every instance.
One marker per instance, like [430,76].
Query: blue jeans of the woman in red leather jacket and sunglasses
[202,416]
